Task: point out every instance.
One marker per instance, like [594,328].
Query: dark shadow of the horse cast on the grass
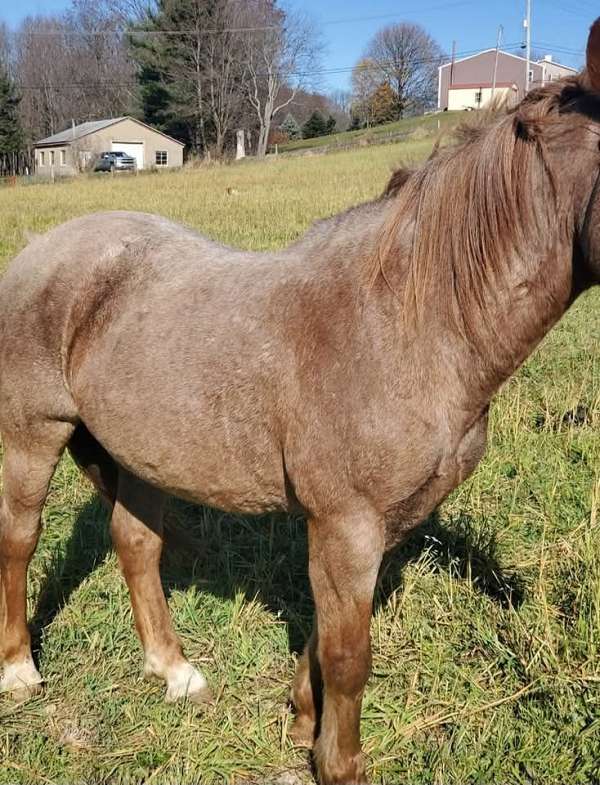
[266,558]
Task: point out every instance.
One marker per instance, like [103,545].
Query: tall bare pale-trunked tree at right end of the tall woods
[281,54]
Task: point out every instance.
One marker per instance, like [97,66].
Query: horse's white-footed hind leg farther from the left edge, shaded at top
[136,529]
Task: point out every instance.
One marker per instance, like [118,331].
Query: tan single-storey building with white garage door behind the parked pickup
[75,149]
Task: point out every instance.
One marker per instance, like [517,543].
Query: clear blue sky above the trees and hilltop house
[559,26]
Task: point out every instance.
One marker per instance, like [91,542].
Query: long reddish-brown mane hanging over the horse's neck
[474,206]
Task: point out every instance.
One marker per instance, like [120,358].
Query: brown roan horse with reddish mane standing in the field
[348,376]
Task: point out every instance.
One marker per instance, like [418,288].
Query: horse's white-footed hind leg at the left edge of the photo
[29,462]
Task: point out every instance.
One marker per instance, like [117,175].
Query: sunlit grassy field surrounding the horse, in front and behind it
[486,633]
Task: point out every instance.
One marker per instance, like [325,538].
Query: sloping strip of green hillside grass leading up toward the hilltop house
[421,126]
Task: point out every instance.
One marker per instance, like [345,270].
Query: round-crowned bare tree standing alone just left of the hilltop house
[407,58]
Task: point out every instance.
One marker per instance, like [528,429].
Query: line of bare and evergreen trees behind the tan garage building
[197,70]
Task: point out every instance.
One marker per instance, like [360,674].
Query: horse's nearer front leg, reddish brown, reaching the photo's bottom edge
[345,554]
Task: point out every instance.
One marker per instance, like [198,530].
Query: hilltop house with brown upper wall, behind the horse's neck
[468,83]
